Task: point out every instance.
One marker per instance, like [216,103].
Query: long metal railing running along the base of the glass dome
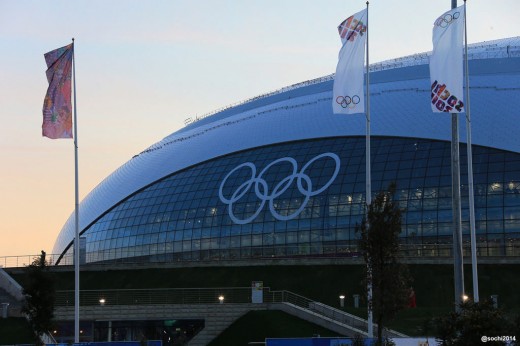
[507,249]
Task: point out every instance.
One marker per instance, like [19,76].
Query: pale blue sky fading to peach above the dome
[143,67]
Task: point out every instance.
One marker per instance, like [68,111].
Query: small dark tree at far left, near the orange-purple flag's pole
[39,295]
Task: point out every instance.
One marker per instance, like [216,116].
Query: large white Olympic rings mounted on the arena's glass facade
[266,195]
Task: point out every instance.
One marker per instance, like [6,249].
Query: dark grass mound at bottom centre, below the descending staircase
[258,325]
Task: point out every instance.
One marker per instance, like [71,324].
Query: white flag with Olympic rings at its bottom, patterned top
[347,94]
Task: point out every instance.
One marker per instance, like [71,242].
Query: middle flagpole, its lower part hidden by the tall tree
[368,179]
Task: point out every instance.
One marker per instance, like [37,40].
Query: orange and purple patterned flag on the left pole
[57,106]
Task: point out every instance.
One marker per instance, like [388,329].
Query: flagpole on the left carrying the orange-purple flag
[76,209]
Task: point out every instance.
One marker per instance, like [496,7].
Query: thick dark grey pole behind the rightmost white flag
[458,265]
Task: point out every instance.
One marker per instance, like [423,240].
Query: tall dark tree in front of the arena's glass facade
[379,242]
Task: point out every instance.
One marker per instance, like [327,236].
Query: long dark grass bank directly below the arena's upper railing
[433,284]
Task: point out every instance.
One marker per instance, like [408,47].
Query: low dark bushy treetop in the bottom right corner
[474,321]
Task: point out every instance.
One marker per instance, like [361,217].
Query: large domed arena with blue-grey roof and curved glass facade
[280,175]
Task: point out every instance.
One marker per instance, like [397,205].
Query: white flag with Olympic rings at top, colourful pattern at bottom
[446,63]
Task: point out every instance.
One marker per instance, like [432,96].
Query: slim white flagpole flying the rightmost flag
[470,170]
